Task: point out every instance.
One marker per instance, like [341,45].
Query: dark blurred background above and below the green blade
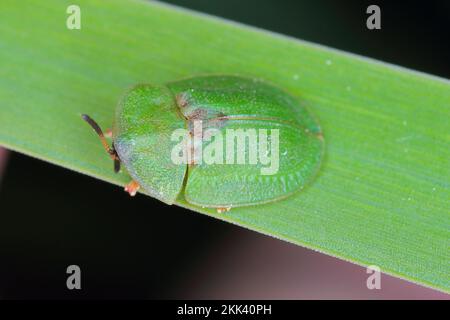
[139,248]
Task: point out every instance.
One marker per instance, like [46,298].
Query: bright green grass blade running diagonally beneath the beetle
[382,196]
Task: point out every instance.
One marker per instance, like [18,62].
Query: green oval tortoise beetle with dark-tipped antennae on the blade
[148,115]
